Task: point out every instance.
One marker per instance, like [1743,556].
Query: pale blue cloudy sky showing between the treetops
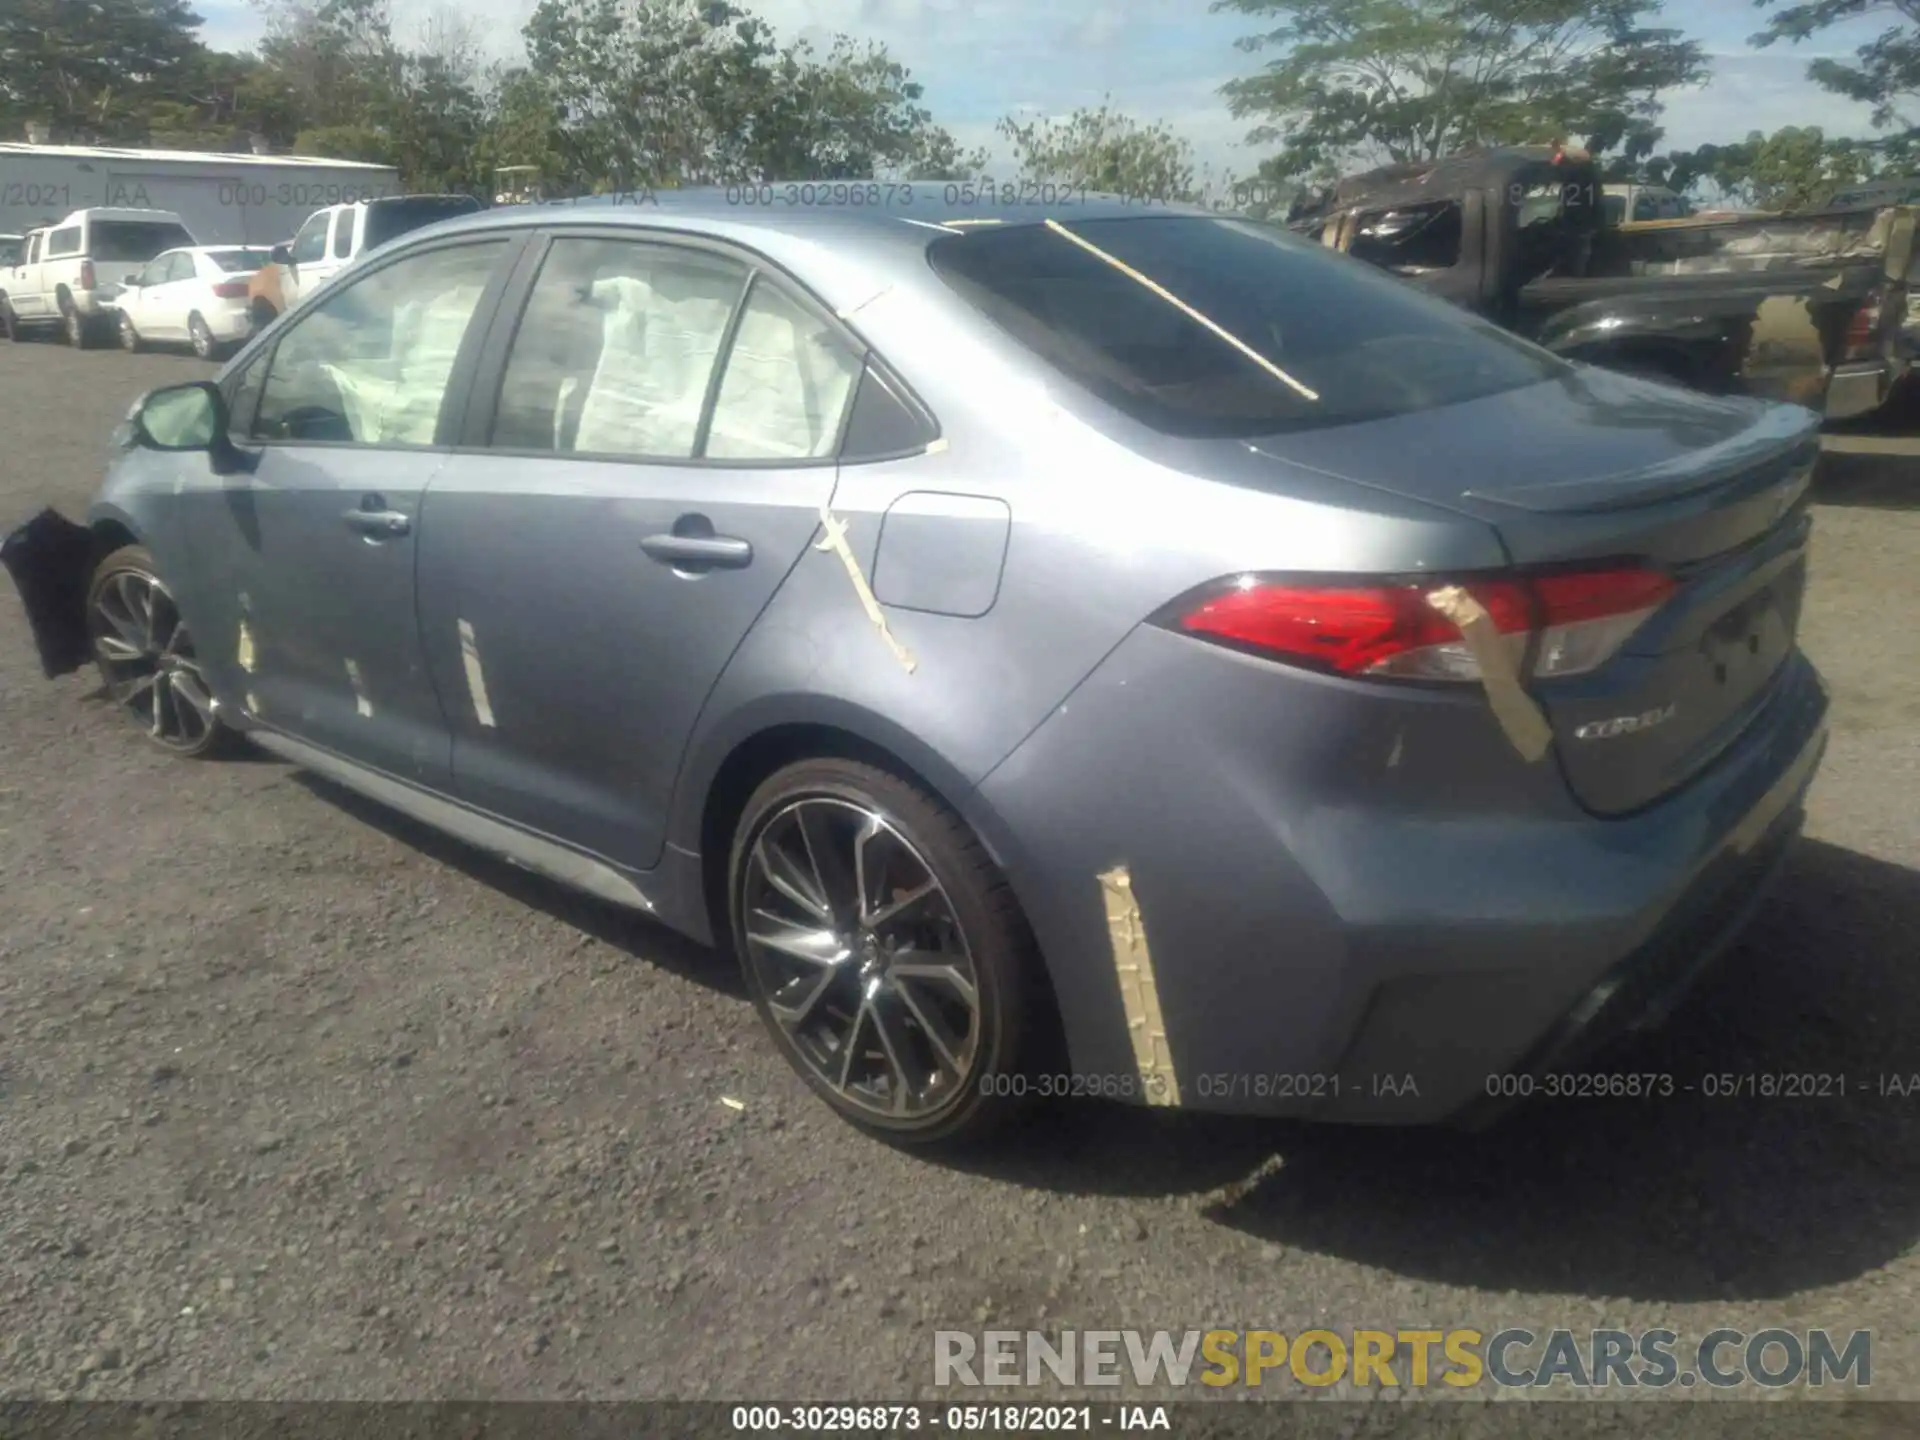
[1166,60]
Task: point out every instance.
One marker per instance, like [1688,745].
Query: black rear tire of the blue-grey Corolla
[1011,999]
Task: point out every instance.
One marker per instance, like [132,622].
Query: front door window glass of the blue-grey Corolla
[372,362]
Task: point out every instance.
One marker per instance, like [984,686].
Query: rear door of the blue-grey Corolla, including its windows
[648,464]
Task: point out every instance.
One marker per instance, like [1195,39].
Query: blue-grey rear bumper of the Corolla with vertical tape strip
[1332,936]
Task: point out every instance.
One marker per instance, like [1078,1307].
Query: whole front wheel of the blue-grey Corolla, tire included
[153,686]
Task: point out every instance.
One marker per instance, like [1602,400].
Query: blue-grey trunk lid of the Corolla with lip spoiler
[1602,469]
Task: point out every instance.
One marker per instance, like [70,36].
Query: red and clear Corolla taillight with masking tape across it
[1575,621]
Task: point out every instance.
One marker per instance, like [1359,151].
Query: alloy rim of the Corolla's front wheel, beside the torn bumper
[149,660]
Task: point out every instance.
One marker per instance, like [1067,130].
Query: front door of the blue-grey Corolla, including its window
[314,613]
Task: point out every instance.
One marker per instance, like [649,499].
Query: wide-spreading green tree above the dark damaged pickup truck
[1364,82]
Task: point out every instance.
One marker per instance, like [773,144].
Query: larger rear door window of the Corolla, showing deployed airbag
[617,348]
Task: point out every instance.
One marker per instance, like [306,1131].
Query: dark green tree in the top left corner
[93,68]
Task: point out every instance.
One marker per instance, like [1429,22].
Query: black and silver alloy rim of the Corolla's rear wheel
[861,957]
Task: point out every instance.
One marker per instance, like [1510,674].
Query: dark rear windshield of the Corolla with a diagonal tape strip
[1337,339]
